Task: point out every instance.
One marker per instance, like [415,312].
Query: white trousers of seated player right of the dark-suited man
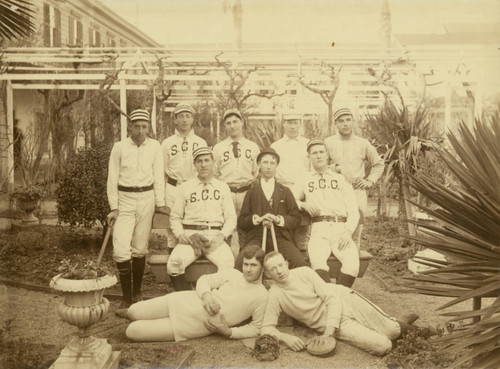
[324,241]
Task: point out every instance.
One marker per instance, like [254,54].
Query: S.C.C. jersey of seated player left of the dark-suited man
[201,203]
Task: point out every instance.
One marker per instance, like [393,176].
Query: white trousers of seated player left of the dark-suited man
[183,255]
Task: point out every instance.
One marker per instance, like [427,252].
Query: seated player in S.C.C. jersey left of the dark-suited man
[202,218]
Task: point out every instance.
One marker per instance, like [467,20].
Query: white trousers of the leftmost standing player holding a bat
[133,225]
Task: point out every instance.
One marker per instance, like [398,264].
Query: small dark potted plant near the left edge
[28,199]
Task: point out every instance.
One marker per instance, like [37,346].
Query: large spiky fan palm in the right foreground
[468,233]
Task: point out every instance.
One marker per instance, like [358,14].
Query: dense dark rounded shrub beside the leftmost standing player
[81,194]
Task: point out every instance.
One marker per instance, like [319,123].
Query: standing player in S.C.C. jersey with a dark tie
[236,163]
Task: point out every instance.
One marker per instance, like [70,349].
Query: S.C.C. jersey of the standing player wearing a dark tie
[236,171]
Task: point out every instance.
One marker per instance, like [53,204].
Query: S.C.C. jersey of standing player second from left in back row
[178,155]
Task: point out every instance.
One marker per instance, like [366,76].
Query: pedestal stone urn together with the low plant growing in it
[82,285]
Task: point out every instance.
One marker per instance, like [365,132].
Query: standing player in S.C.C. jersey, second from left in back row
[177,156]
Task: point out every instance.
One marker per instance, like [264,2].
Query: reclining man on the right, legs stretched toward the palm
[333,310]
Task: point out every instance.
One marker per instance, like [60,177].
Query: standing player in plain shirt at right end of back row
[349,154]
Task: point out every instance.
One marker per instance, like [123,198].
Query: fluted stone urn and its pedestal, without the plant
[83,306]
